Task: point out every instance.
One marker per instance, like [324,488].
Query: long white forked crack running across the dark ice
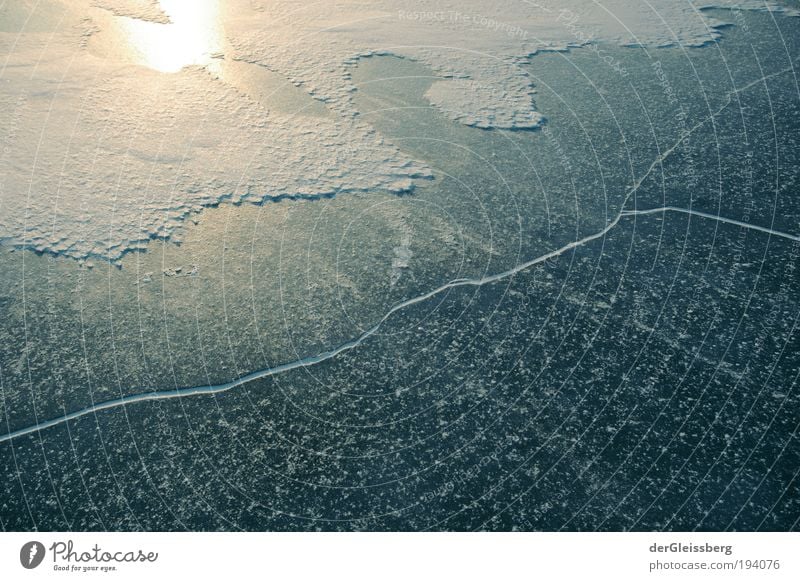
[461,282]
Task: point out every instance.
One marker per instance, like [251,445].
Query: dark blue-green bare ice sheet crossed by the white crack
[589,326]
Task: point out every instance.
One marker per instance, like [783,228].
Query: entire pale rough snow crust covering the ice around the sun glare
[101,153]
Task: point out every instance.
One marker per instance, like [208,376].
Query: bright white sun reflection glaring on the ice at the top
[193,37]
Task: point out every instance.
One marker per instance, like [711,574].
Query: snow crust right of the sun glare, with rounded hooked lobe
[477,45]
